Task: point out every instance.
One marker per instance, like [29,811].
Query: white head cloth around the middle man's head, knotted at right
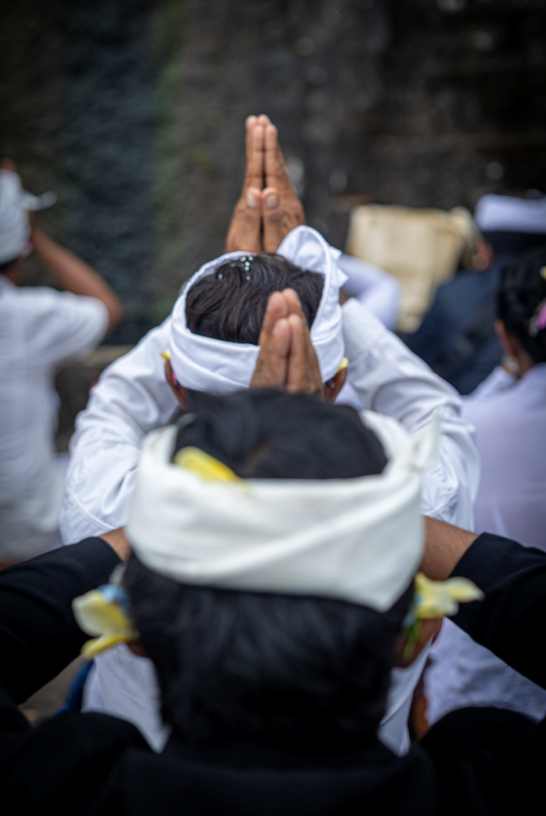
[220,367]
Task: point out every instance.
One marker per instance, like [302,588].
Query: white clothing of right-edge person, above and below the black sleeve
[510,420]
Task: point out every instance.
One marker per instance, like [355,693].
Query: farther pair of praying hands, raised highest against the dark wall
[268,208]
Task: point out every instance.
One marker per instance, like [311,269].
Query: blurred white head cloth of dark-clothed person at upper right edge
[496,213]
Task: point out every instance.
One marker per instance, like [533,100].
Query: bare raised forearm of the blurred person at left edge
[75,275]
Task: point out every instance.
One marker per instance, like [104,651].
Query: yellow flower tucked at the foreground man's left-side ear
[99,613]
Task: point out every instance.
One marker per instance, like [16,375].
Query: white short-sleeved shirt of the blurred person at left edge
[39,327]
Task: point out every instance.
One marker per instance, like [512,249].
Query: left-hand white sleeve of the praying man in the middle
[131,398]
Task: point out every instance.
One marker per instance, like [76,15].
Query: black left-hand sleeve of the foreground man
[38,633]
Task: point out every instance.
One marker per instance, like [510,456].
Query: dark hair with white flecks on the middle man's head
[230,304]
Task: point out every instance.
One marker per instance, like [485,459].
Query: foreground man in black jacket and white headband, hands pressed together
[272,583]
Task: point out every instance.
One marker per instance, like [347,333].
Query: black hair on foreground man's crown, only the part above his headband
[267,434]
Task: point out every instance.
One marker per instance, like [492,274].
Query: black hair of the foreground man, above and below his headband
[300,671]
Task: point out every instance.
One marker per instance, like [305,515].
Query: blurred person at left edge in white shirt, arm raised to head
[39,327]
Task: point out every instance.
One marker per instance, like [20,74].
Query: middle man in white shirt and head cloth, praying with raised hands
[134,396]
